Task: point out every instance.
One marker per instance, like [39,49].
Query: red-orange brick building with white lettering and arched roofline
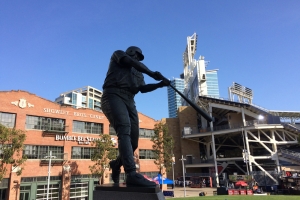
[66,132]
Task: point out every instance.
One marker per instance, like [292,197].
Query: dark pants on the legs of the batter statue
[120,110]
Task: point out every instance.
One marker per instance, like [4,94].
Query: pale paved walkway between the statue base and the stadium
[192,192]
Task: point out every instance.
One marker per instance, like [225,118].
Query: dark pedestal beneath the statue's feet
[123,192]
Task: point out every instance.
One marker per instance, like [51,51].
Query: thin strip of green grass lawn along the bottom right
[242,197]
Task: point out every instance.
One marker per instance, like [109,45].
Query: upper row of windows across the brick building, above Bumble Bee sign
[56,124]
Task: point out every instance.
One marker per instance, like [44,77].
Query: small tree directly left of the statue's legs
[103,153]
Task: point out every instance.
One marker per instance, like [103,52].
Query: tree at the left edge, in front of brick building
[11,146]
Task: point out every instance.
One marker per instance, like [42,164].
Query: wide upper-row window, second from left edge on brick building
[45,123]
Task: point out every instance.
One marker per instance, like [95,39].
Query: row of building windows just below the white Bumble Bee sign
[41,152]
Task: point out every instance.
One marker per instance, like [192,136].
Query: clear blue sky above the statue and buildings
[52,46]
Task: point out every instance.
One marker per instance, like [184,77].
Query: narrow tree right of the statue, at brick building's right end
[163,145]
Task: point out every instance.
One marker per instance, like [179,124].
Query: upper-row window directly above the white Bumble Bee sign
[87,127]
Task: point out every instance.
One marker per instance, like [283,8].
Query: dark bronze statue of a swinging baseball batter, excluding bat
[124,79]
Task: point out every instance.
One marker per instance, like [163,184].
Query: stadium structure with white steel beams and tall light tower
[244,140]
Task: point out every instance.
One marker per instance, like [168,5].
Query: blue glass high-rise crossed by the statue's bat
[174,100]
